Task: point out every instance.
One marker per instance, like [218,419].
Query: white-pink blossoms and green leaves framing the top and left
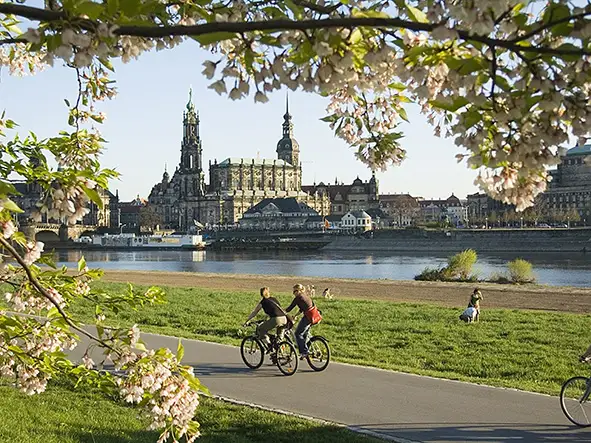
[509,80]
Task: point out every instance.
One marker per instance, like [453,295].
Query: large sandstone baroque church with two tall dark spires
[235,184]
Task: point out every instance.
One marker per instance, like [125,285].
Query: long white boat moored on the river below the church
[131,241]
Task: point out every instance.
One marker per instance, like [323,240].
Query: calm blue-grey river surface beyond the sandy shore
[552,268]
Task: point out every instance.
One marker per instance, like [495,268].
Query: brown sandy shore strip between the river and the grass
[550,298]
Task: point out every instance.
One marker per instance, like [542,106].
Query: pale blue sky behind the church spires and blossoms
[144,127]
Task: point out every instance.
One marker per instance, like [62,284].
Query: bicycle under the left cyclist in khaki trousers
[283,353]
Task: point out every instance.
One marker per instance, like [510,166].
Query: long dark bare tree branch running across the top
[278,25]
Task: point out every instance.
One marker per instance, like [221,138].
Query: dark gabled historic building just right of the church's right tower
[341,198]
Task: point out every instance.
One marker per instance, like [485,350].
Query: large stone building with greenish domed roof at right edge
[570,188]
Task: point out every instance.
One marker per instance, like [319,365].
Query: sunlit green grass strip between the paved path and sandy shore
[528,350]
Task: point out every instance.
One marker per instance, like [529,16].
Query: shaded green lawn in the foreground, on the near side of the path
[62,416]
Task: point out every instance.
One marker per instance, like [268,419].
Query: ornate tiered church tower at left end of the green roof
[191,166]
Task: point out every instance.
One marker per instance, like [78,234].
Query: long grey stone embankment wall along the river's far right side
[498,240]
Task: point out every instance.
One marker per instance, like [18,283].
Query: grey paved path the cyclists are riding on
[398,406]
